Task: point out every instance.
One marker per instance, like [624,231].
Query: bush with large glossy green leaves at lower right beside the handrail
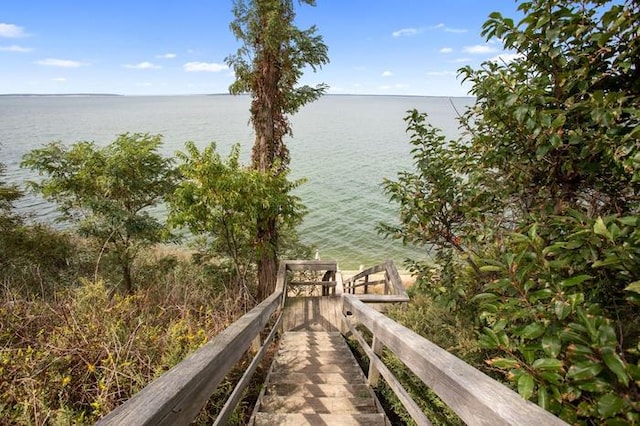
[546,318]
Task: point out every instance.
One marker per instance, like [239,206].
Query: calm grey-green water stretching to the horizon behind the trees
[343,145]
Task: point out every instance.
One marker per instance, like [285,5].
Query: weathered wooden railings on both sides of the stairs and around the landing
[178,396]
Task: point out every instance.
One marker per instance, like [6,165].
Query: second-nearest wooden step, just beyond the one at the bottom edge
[320,405]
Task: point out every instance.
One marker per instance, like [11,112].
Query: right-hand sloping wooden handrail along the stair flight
[475,397]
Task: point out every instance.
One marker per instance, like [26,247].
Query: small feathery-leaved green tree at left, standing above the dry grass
[109,190]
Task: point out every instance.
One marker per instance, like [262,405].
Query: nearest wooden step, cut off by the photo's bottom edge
[296,419]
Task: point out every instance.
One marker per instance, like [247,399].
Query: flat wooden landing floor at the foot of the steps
[314,313]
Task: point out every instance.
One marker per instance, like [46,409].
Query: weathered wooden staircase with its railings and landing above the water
[314,379]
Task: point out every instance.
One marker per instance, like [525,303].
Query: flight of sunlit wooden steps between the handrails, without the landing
[314,379]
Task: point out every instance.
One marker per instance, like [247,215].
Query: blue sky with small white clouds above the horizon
[135,47]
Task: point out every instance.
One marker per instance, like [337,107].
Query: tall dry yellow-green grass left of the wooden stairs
[72,348]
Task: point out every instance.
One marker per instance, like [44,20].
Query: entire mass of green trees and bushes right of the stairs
[535,214]
